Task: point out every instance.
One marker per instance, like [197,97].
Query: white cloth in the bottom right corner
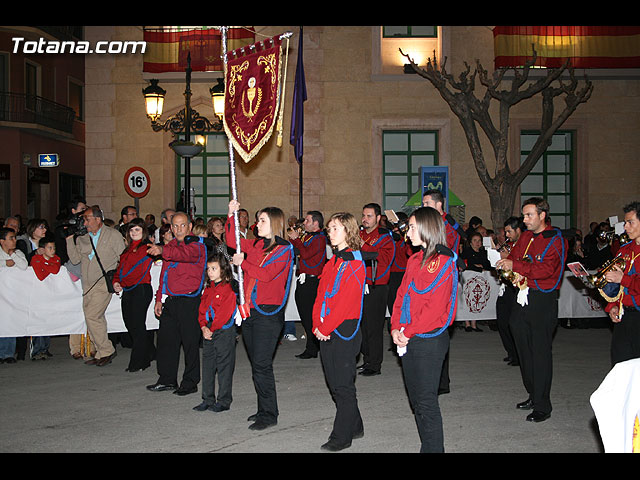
[616,404]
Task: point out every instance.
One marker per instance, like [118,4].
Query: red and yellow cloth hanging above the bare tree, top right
[586,46]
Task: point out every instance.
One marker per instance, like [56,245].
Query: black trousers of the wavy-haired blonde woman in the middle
[339,363]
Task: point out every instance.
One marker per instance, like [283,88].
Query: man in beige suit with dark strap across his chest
[98,250]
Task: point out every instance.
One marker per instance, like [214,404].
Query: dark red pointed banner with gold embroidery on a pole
[252,95]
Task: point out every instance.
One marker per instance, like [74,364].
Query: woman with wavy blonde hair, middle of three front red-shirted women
[336,321]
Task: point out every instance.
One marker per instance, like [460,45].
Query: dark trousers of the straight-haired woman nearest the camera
[421,369]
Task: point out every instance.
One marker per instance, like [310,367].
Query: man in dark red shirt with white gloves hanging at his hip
[538,258]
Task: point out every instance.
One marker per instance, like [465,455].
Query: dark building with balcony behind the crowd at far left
[41,121]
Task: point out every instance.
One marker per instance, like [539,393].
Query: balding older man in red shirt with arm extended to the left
[177,302]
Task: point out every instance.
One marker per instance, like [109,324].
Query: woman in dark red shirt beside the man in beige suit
[133,280]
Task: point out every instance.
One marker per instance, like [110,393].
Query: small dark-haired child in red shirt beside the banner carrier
[217,322]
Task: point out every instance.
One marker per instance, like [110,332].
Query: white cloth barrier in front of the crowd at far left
[53,306]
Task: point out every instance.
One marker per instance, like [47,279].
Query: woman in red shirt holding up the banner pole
[267,270]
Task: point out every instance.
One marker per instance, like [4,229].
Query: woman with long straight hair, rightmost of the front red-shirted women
[425,306]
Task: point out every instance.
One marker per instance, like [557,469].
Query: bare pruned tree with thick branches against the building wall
[473,111]
